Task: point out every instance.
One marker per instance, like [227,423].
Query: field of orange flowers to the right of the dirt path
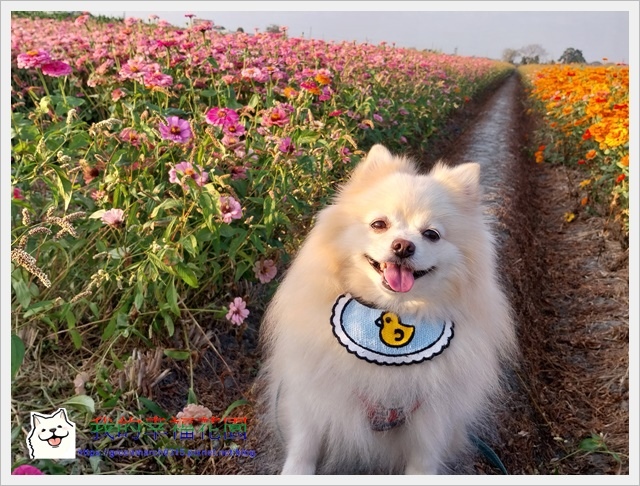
[586,124]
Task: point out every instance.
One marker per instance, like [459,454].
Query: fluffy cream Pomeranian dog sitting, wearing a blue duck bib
[385,341]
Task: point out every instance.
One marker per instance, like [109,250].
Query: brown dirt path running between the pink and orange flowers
[569,287]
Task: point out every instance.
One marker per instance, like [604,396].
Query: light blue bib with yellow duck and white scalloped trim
[385,338]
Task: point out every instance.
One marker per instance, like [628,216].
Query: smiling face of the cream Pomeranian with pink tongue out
[401,236]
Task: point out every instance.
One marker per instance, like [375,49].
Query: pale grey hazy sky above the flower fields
[421,25]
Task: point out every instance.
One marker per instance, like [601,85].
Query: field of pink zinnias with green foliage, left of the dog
[165,174]
